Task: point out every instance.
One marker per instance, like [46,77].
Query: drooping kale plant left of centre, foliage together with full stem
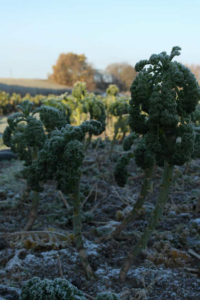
[61,159]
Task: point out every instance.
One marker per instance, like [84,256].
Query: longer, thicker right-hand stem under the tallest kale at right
[154,219]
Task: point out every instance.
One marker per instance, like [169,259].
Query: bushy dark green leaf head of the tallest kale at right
[163,96]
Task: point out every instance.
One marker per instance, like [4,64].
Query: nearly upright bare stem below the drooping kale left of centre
[77,230]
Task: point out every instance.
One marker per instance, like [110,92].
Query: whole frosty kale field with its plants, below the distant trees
[103,201]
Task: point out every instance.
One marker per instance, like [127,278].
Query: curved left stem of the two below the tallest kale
[146,186]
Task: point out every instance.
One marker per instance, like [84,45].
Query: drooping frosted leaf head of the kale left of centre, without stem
[62,156]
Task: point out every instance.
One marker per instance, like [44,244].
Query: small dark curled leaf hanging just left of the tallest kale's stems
[121,173]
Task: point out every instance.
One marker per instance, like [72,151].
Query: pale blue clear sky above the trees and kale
[33,33]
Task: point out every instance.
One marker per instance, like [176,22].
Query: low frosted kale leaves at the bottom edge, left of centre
[46,289]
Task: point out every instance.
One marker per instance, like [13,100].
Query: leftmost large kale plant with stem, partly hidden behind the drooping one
[25,136]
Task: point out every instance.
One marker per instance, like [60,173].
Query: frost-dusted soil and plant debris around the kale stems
[167,268]
